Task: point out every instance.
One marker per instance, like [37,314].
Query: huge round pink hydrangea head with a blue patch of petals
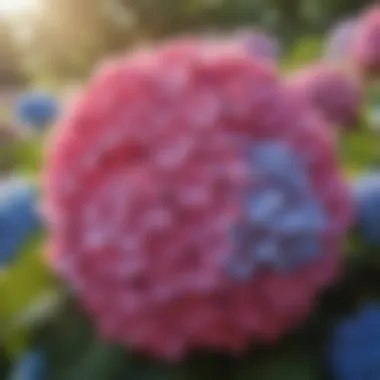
[178,165]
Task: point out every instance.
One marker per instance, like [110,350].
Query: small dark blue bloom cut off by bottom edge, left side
[31,366]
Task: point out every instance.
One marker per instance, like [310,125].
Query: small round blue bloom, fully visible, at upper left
[37,109]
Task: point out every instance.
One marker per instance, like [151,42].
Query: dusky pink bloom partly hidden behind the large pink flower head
[332,91]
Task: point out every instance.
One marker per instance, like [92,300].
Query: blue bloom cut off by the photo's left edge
[18,216]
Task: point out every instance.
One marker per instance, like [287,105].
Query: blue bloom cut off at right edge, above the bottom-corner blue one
[367,204]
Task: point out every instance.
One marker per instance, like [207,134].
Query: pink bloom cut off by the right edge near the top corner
[366,45]
